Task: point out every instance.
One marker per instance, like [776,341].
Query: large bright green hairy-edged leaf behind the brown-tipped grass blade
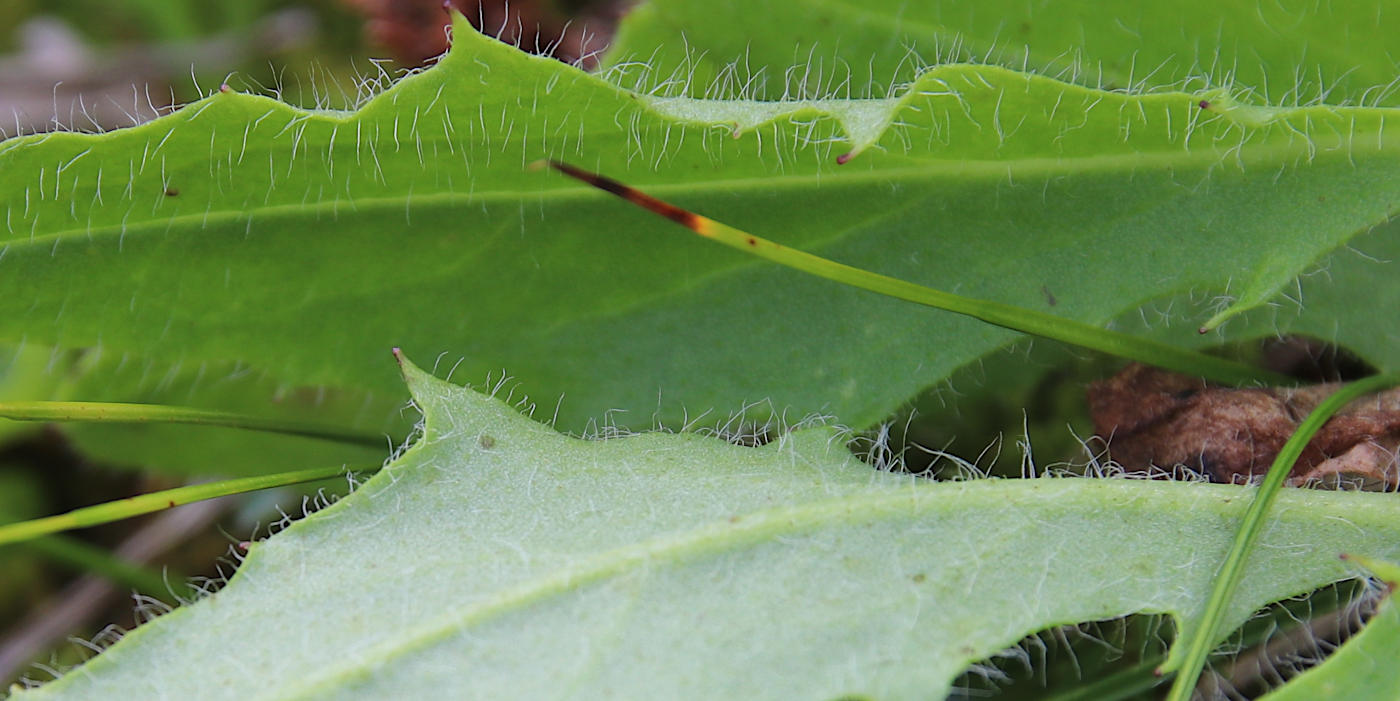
[241,230]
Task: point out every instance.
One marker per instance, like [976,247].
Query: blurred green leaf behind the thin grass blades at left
[185,451]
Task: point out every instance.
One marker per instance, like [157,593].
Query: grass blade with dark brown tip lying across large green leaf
[1007,317]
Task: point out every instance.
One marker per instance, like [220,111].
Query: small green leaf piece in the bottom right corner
[1363,670]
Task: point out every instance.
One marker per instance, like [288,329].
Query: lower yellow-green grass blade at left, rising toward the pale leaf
[160,500]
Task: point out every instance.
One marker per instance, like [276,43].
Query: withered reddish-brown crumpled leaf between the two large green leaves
[1156,419]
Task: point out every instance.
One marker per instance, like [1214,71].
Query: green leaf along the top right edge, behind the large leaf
[1283,52]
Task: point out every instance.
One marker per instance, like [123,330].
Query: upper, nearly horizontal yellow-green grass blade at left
[118,413]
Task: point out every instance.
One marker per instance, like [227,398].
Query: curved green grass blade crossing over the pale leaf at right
[1234,567]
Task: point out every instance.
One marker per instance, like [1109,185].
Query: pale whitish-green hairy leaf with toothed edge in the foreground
[502,560]
